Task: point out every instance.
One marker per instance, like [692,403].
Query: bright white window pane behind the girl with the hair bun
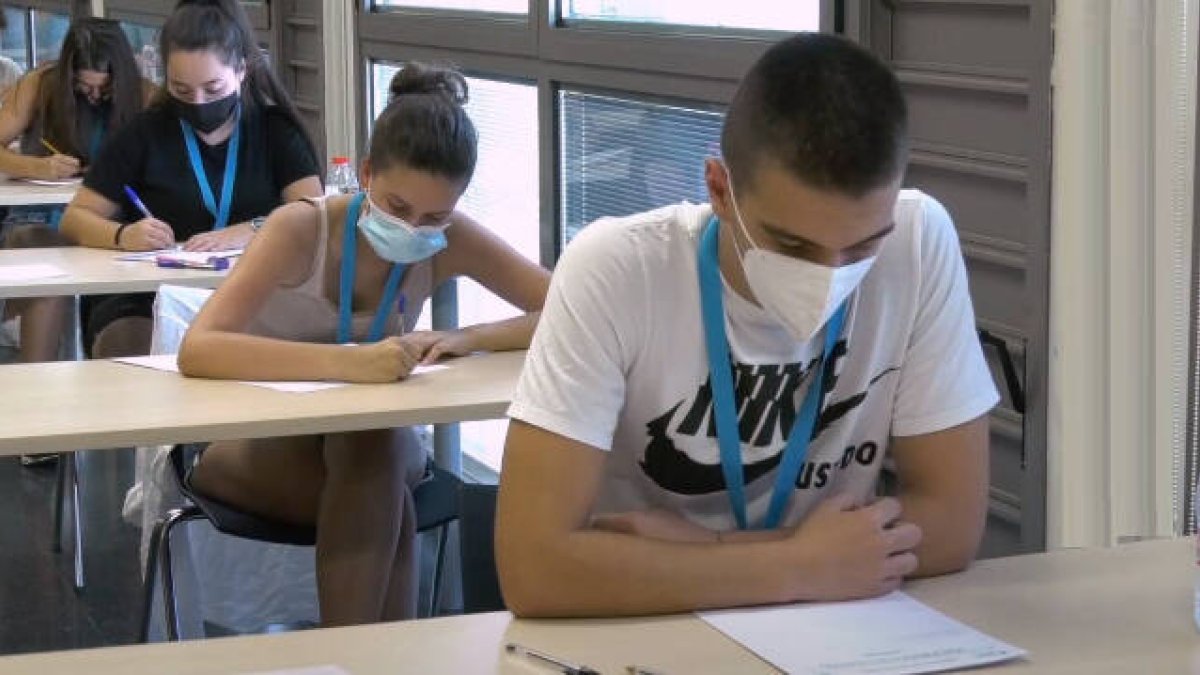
[503,196]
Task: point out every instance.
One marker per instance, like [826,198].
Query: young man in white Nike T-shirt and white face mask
[713,391]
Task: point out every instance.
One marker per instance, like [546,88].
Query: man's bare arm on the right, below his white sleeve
[944,491]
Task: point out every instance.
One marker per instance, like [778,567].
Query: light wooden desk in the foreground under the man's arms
[1125,611]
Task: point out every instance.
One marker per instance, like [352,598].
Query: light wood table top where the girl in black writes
[94,272]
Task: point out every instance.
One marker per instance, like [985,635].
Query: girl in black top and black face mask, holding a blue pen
[221,147]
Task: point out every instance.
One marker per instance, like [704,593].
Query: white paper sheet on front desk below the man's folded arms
[890,636]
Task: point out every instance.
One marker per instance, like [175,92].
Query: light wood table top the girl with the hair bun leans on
[100,404]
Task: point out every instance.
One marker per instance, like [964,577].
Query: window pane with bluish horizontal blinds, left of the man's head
[622,157]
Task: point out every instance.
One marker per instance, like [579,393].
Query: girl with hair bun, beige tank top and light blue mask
[279,316]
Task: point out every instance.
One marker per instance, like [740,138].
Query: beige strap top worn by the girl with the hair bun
[304,314]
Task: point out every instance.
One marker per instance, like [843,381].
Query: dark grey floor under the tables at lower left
[39,608]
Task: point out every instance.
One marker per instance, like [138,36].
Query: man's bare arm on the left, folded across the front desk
[553,563]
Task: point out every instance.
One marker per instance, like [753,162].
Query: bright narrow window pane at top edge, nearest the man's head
[761,15]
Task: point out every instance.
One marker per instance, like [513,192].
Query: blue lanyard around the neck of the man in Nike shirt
[729,435]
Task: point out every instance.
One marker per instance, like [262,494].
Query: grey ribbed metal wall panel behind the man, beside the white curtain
[977,79]
